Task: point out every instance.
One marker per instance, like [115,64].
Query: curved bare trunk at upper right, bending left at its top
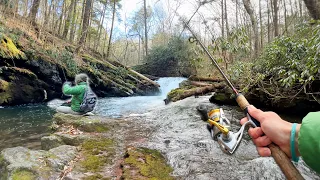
[249,9]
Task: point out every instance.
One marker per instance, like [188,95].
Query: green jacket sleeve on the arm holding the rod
[309,140]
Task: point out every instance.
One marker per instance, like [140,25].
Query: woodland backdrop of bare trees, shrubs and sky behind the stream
[270,49]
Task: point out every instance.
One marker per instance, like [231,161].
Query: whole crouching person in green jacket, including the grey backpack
[83,99]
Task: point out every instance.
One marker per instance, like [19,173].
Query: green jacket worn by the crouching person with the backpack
[77,93]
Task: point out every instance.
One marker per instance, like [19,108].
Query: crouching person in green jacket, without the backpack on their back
[77,92]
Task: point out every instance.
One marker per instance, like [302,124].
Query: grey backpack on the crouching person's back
[89,101]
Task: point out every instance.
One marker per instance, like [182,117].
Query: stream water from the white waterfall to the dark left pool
[25,125]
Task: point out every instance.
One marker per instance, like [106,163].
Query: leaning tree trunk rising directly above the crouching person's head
[85,24]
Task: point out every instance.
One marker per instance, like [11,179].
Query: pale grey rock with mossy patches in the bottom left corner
[19,162]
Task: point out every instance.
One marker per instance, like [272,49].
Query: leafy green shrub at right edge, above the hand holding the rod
[293,60]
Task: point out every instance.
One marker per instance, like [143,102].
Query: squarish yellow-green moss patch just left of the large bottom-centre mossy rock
[97,153]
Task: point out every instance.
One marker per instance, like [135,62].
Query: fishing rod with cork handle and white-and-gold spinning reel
[229,140]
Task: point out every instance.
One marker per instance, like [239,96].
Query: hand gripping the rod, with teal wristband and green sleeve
[294,139]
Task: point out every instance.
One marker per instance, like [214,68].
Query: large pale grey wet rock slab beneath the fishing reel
[194,155]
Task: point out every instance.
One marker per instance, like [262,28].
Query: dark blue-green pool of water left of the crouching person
[24,125]
